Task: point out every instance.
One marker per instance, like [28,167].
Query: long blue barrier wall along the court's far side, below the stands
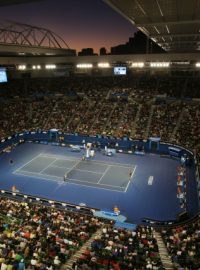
[123,145]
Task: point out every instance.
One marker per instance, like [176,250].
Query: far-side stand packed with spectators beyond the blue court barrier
[109,106]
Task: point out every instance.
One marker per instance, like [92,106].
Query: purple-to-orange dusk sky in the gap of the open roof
[81,23]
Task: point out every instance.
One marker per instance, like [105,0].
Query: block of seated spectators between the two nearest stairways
[122,249]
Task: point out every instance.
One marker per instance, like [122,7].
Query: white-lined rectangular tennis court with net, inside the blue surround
[110,176]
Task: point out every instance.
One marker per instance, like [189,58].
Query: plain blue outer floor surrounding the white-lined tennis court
[157,201]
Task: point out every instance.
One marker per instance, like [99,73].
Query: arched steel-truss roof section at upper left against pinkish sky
[19,38]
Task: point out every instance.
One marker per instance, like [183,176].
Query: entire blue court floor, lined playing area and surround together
[102,182]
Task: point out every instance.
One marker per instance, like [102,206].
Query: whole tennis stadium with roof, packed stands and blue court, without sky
[100,154]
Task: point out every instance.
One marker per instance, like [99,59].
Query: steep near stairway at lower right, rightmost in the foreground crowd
[164,255]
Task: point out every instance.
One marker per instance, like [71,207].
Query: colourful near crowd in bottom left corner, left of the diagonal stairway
[39,237]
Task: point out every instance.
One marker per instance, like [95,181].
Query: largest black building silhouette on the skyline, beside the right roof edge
[140,43]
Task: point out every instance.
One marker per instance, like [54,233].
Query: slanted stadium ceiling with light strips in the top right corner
[172,24]
